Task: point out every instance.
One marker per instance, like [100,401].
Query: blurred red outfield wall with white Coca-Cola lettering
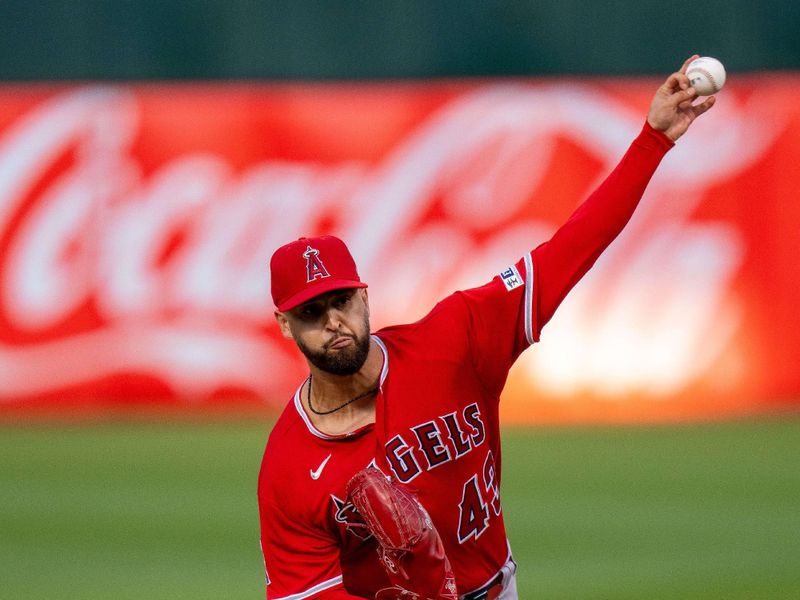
[136,224]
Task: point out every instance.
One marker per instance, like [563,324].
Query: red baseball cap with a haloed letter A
[308,267]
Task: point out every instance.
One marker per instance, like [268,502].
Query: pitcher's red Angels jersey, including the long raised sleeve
[437,428]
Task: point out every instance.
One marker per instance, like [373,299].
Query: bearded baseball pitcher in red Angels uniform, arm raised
[381,479]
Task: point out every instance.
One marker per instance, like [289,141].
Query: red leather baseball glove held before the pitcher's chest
[410,548]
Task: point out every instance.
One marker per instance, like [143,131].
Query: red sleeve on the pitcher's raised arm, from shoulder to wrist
[507,315]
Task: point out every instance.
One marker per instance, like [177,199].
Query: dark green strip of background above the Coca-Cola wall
[241,39]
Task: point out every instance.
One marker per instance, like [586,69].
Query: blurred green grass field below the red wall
[140,510]
